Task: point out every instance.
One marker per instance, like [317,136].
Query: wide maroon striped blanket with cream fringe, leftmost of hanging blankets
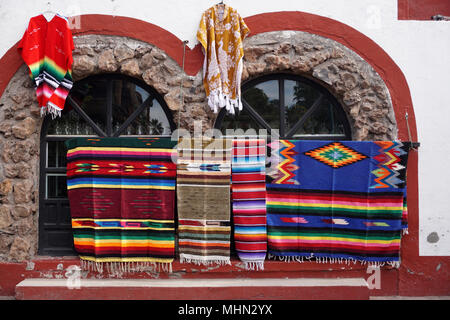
[121,193]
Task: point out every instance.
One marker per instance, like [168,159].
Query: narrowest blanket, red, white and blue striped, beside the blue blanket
[249,201]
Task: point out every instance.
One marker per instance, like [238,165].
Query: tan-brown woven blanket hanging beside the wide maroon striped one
[203,199]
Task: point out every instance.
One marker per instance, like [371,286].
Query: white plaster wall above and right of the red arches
[420,48]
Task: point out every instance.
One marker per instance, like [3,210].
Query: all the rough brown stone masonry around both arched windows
[347,76]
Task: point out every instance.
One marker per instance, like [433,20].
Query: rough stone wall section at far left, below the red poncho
[19,167]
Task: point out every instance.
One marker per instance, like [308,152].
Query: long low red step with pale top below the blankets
[193,289]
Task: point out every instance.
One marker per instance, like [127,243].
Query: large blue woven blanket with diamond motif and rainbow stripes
[337,201]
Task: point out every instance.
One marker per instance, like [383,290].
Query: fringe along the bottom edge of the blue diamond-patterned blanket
[347,261]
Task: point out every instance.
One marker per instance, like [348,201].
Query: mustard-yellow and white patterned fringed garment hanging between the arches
[221,34]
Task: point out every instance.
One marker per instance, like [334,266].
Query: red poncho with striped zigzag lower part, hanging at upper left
[46,48]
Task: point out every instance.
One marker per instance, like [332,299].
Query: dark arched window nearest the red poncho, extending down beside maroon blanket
[101,105]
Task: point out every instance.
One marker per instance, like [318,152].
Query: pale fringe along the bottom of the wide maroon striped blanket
[125,267]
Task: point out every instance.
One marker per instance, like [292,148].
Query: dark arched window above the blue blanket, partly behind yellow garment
[296,106]
